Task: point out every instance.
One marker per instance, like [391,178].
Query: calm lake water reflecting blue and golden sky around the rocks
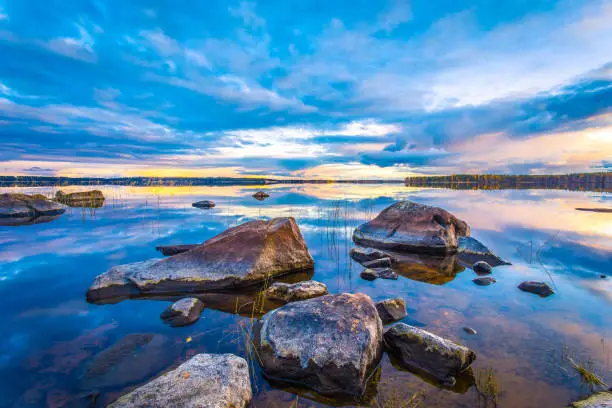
[51,336]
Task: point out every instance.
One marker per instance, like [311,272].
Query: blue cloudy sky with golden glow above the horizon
[304,88]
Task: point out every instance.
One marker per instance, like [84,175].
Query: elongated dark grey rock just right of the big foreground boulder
[421,350]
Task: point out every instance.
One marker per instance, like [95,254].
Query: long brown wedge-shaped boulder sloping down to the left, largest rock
[242,256]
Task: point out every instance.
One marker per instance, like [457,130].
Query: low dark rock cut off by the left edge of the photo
[27,207]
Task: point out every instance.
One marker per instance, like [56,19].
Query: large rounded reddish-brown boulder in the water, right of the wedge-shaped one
[412,227]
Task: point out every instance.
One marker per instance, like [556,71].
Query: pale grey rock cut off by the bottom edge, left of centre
[205,380]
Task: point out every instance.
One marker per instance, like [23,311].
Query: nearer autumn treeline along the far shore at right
[578,181]
